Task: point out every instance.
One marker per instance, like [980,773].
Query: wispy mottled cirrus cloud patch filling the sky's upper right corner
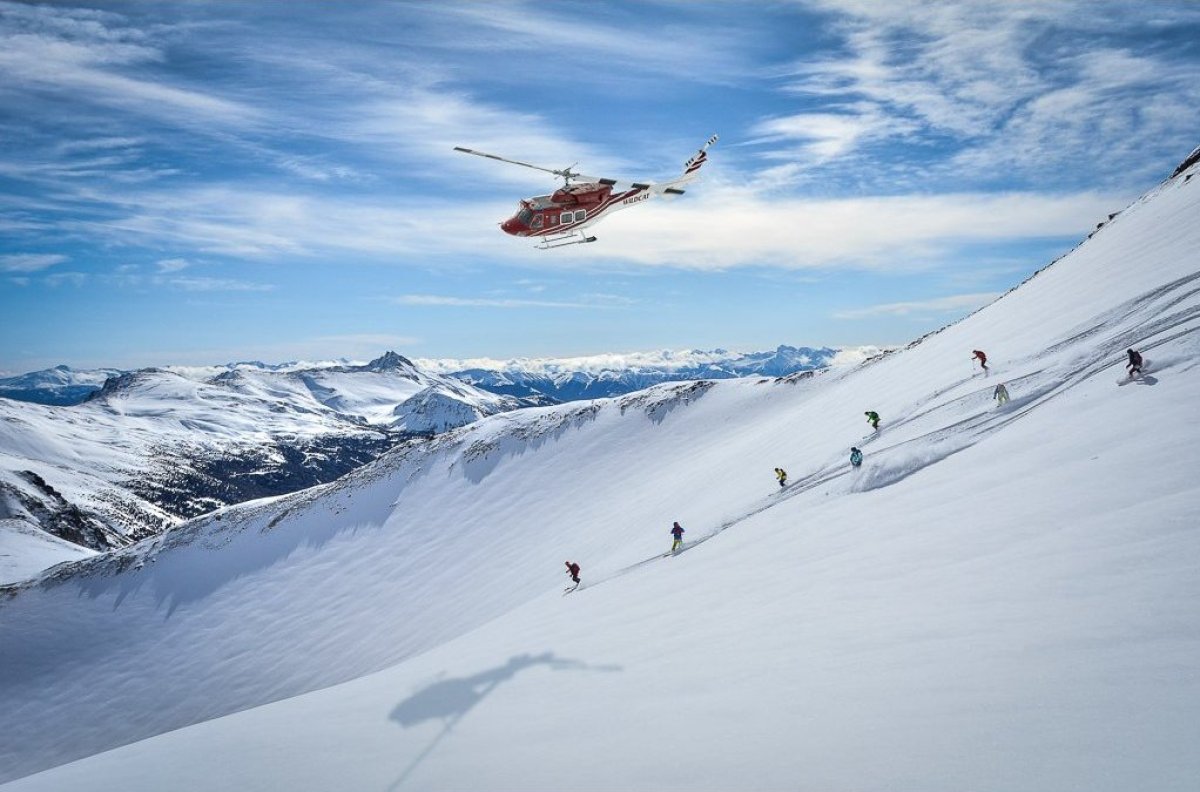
[1017,91]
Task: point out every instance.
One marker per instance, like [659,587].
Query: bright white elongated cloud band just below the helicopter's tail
[728,227]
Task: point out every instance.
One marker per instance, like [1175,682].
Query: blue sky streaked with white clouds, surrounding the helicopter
[199,183]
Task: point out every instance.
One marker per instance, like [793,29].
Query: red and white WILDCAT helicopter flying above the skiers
[561,218]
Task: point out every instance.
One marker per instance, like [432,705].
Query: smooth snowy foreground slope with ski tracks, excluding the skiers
[1000,599]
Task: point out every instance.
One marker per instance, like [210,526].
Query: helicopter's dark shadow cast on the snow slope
[451,700]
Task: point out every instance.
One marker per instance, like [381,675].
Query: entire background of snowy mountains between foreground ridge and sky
[105,458]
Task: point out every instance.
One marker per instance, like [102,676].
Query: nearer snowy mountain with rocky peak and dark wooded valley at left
[153,447]
